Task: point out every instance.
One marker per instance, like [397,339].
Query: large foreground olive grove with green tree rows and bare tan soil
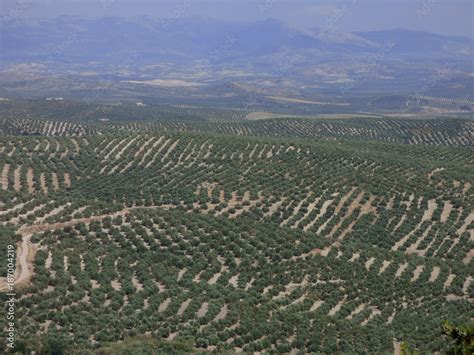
[284,235]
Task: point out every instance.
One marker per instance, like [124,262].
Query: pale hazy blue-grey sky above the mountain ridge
[453,17]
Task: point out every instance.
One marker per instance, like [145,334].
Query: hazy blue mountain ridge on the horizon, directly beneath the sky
[71,39]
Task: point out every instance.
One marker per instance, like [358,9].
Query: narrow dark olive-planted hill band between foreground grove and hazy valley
[71,119]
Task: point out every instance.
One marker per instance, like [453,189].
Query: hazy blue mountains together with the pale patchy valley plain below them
[206,58]
